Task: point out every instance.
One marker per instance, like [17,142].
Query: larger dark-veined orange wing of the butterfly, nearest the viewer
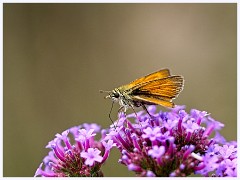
[159,91]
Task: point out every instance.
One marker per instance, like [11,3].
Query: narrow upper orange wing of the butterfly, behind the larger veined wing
[163,73]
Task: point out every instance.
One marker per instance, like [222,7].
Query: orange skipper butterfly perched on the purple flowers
[157,88]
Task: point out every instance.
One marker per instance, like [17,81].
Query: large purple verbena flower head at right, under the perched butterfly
[173,144]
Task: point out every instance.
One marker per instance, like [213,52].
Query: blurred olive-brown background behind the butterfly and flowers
[58,56]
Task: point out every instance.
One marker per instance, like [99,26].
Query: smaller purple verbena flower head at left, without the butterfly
[81,158]
